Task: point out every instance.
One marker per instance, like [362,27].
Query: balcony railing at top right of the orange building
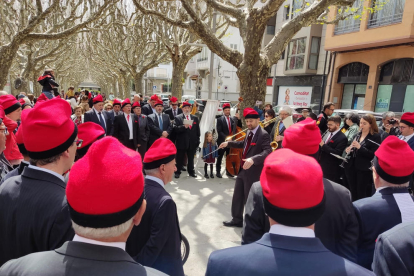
[391,13]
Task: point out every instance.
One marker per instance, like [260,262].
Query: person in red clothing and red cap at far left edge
[13,110]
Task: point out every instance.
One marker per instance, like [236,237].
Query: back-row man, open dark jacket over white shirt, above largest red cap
[126,128]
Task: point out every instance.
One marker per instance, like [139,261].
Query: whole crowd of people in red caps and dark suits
[82,192]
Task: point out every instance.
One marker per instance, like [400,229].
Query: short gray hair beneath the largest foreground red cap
[102,233]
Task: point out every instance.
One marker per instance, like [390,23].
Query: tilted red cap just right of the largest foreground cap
[161,152]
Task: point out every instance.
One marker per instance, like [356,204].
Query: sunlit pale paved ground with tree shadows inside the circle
[203,204]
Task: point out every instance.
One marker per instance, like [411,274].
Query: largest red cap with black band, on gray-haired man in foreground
[96,196]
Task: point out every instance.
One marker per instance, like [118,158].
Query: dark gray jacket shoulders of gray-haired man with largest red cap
[77,259]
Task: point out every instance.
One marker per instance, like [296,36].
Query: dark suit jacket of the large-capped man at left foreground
[34,214]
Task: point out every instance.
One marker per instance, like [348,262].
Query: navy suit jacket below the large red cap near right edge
[376,214]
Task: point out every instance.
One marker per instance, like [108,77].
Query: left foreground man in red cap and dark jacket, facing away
[33,209]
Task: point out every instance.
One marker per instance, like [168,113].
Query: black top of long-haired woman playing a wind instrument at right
[365,154]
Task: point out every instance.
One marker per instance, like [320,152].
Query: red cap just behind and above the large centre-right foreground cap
[303,137]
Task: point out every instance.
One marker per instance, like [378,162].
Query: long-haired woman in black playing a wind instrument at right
[361,152]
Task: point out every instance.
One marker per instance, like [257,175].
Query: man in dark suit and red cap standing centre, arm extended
[256,147]
